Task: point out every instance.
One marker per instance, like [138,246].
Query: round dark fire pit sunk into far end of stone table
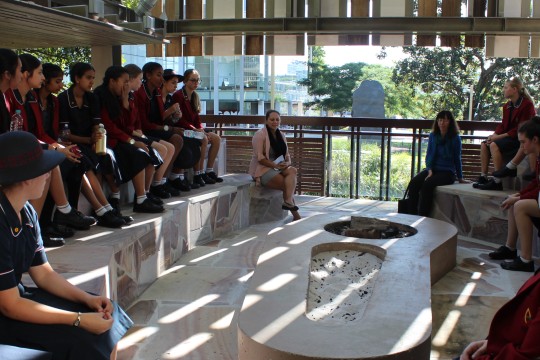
[370,228]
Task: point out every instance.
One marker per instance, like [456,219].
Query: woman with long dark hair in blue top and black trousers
[443,164]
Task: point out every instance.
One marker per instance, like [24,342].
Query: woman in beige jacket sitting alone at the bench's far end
[271,162]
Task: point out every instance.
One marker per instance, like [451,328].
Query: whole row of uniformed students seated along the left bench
[144,118]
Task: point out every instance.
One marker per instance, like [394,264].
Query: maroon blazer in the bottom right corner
[515,330]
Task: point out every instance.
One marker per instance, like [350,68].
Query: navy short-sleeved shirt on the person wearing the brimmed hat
[21,245]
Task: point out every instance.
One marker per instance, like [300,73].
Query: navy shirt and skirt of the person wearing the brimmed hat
[21,248]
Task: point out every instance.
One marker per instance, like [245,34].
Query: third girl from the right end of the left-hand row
[151,112]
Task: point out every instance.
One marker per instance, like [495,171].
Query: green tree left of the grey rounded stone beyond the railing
[331,86]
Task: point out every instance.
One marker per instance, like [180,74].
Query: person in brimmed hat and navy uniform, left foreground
[56,317]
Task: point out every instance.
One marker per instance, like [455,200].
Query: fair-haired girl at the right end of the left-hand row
[190,106]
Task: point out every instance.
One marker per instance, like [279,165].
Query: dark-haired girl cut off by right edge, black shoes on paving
[522,208]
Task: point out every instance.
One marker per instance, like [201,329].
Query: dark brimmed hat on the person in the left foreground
[23,158]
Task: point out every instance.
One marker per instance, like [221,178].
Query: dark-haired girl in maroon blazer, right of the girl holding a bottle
[135,157]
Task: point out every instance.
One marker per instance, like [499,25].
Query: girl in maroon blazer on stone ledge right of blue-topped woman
[504,142]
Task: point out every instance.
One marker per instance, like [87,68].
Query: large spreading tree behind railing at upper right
[446,74]
